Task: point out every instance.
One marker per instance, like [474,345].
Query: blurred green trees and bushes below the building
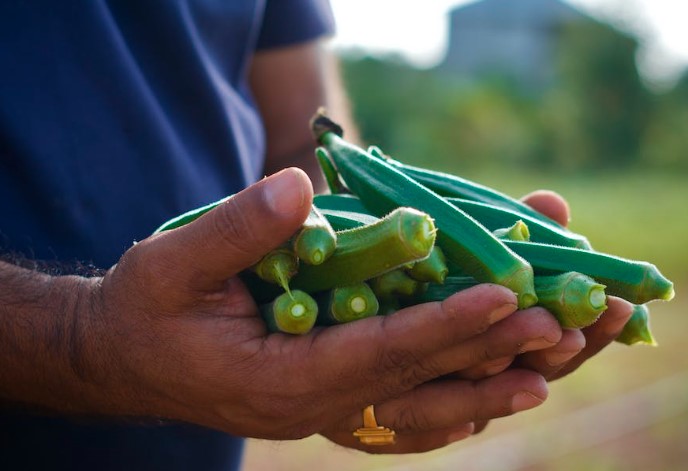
[597,114]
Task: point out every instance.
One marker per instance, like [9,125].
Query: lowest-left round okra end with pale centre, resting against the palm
[290,313]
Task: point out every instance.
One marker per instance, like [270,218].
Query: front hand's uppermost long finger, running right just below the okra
[381,357]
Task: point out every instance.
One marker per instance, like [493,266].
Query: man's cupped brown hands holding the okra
[173,333]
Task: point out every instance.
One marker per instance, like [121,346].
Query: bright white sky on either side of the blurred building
[418,30]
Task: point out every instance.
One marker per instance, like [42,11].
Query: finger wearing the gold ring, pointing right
[443,404]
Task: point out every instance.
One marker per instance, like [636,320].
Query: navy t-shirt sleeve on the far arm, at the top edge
[287,22]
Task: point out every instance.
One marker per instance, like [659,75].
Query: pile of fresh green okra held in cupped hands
[391,235]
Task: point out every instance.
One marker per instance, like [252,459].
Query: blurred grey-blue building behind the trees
[512,38]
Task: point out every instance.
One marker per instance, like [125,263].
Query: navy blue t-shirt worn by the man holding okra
[115,116]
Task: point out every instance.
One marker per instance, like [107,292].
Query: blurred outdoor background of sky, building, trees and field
[588,98]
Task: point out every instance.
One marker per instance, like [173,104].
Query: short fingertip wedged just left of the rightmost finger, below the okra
[548,361]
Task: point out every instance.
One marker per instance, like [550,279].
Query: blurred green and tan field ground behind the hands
[627,409]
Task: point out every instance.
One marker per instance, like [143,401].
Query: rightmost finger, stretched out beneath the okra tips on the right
[601,333]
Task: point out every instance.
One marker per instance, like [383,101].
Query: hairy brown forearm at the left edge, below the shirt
[47,357]
